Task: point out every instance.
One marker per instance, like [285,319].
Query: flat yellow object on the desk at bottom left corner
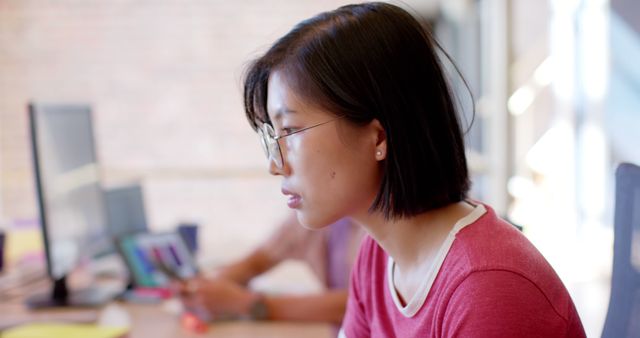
[59,330]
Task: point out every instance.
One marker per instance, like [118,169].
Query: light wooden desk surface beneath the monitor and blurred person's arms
[154,321]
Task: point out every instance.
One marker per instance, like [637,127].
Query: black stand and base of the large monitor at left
[61,296]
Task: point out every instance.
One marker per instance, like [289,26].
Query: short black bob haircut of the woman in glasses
[375,61]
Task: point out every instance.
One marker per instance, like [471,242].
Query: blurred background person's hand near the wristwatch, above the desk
[216,298]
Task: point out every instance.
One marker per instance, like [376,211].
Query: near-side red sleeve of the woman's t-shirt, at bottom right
[499,303]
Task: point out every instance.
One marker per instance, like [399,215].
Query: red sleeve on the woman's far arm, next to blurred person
[355,323]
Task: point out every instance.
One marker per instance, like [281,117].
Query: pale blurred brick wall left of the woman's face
[163,78]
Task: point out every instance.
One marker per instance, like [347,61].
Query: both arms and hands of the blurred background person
[226,293]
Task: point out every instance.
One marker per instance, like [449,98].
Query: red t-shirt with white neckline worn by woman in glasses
[492,283]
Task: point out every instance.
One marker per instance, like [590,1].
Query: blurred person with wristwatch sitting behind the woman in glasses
[329,253]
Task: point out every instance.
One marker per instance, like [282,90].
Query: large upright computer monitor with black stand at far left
[70,198]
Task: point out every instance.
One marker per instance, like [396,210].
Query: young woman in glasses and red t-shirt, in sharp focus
[356,116]
